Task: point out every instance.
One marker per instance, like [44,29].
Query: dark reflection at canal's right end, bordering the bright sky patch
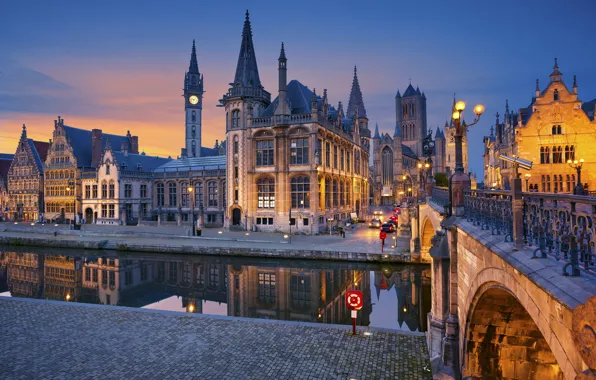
[412,288]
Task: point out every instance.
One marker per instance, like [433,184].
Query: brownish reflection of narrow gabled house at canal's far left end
[24,274]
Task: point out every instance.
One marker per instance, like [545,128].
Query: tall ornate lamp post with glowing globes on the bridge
[460,181]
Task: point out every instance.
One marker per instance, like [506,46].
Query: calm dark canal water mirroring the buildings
[396,297]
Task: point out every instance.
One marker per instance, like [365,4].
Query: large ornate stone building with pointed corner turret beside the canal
[297,160]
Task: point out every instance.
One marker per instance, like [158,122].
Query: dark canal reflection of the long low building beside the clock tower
[194,279]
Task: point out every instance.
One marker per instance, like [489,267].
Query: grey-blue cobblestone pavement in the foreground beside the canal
[56,340]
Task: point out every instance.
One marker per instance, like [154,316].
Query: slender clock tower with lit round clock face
[193,106]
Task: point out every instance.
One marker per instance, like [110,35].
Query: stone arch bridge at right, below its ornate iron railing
[498,312]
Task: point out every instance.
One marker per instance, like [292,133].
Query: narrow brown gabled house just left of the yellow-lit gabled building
[25,180]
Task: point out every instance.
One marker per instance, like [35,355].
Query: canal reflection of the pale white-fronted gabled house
[114,281]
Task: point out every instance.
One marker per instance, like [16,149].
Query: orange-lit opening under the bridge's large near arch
[503,342]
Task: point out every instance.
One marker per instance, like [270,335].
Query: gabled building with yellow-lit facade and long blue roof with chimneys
[72,153]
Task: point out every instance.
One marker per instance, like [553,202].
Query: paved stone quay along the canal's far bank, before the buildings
[353,248]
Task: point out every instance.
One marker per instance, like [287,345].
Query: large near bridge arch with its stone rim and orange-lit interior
[505,335]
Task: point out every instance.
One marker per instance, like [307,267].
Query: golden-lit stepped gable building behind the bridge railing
[554,128]
